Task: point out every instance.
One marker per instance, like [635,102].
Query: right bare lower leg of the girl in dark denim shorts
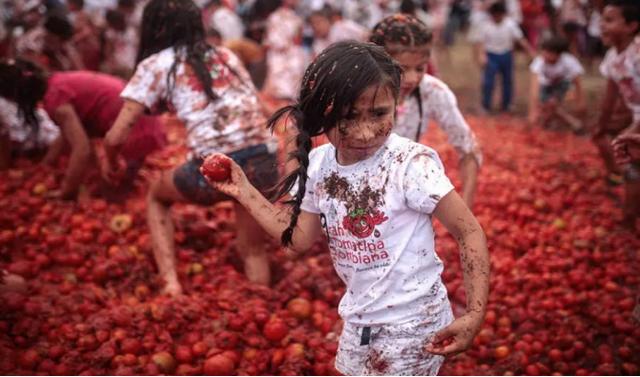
[250,245]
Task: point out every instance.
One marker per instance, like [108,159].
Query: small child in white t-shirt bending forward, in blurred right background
[553,72]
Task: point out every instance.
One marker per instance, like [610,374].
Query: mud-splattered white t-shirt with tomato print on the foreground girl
[377,218]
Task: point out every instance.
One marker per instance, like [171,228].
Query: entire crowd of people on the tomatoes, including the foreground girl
[360,74]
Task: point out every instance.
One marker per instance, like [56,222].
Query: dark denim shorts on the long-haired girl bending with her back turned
[259,163]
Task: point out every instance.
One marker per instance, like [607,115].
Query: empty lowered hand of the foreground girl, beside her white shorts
[457,337]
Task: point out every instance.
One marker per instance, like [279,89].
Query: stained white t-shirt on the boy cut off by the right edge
[624,69]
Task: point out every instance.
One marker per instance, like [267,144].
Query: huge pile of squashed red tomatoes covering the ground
[563,288]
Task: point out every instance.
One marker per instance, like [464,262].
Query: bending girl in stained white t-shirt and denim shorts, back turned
[211,93]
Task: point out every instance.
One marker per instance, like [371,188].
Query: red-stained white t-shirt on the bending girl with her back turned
[232,122]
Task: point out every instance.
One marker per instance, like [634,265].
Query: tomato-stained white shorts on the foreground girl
[391,349]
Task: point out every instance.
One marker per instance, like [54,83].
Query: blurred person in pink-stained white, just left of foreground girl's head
[286,59]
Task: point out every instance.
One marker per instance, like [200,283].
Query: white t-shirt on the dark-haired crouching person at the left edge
[12,125]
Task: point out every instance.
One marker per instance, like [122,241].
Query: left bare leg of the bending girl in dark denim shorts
[162,194]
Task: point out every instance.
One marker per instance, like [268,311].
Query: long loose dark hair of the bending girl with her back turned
[177,24]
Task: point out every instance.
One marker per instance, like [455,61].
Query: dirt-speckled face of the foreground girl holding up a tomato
[363,131]
